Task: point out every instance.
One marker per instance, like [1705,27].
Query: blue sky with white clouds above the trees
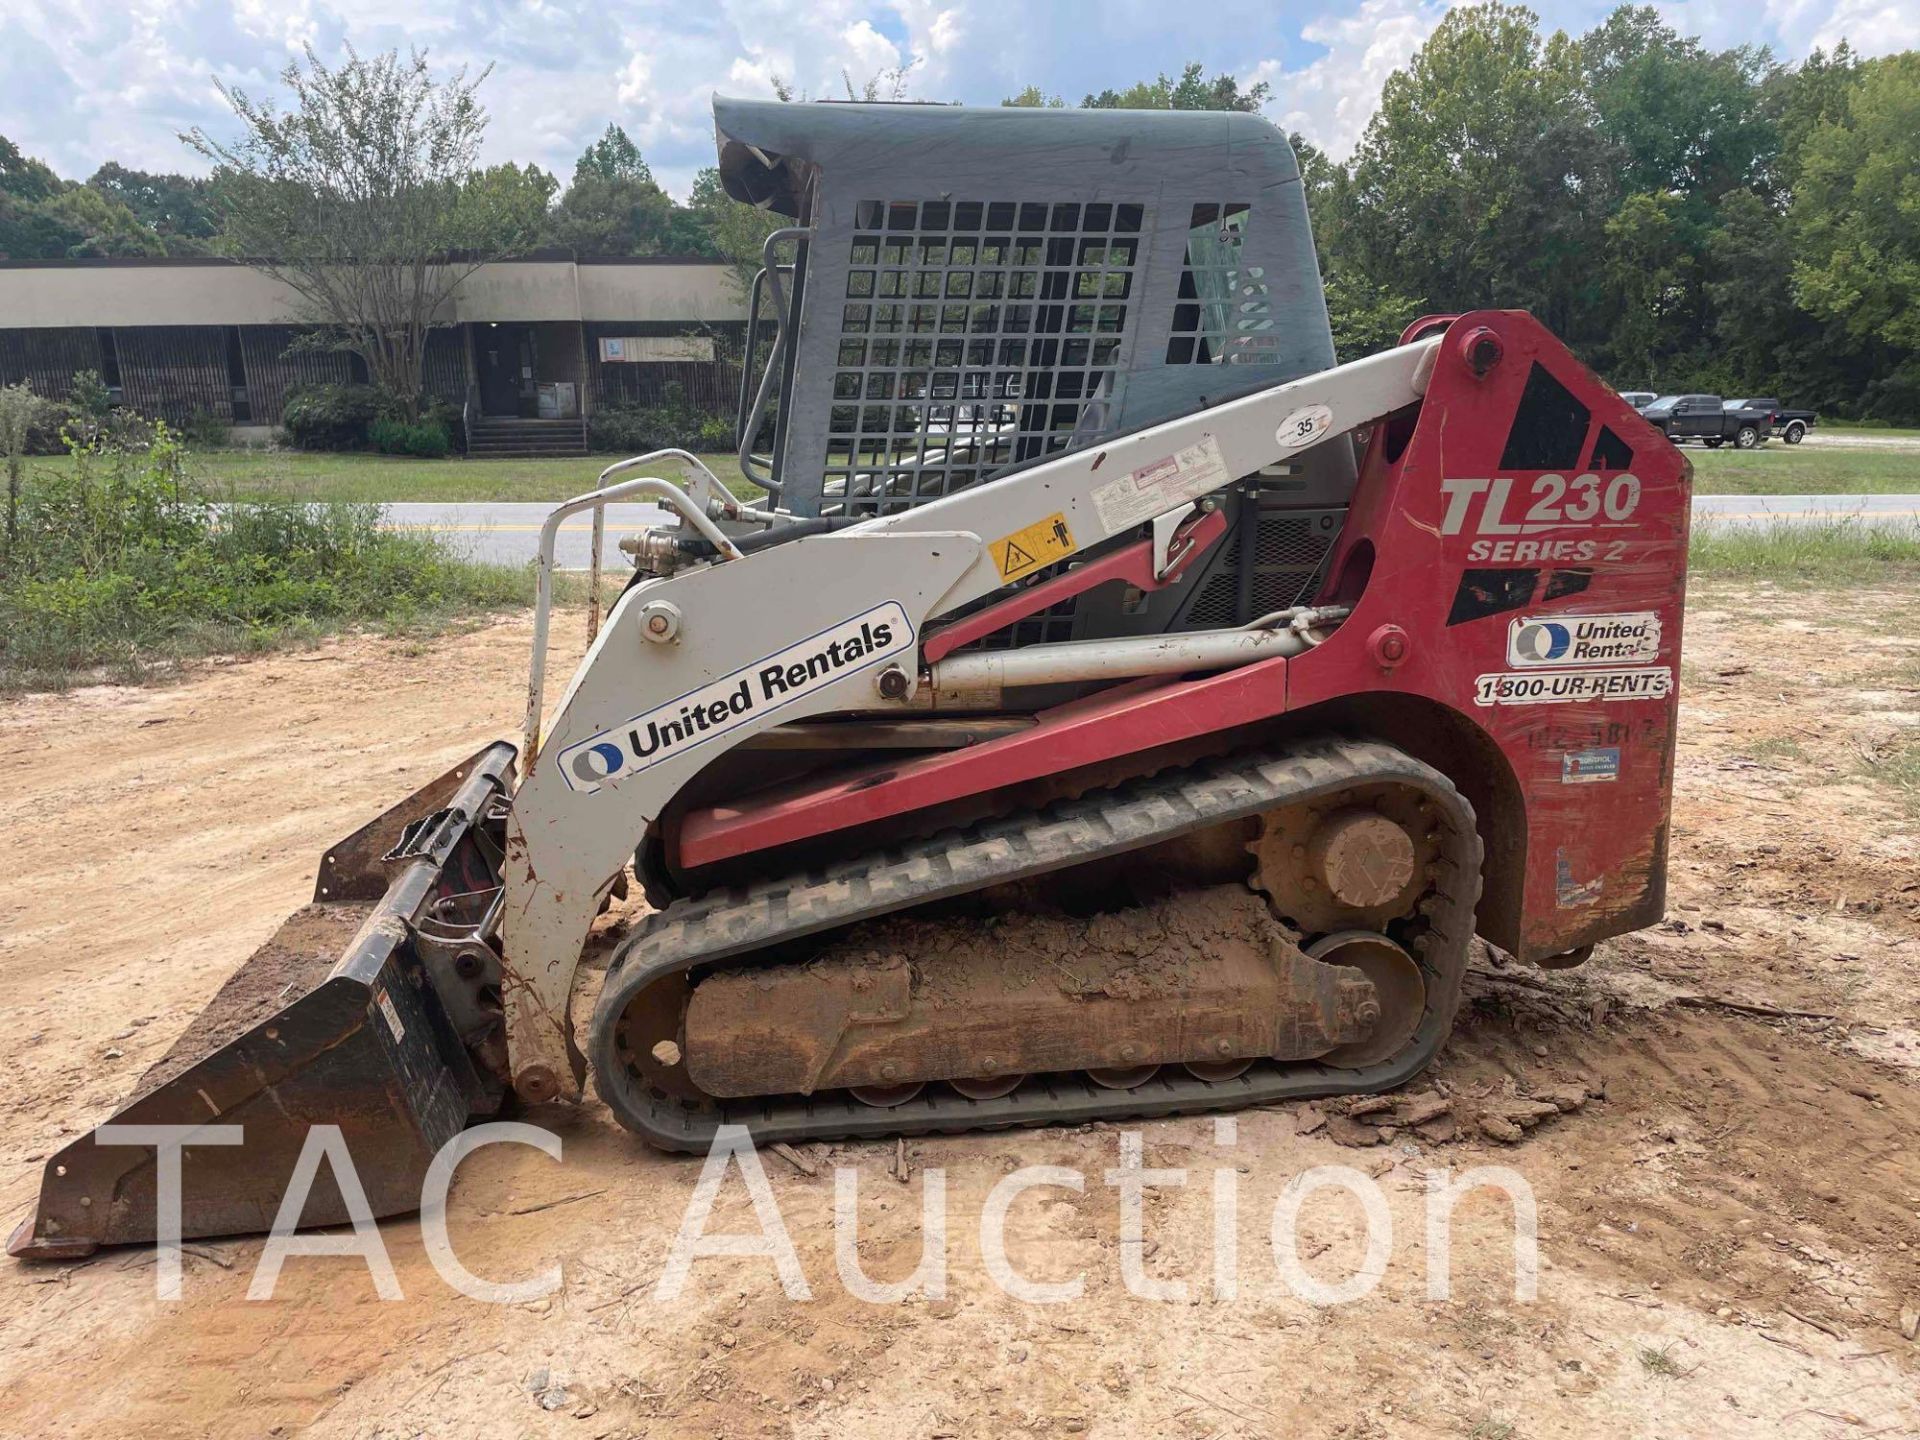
[85,82]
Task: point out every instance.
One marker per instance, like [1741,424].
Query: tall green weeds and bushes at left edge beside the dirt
[124,560]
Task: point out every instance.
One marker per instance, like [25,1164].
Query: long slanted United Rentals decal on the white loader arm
[740,698]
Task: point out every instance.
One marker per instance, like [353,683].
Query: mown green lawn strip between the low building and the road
[383,479]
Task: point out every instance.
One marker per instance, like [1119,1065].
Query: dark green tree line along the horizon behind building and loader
[1683,218]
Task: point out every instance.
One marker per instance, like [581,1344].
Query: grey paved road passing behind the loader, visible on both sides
[510,533]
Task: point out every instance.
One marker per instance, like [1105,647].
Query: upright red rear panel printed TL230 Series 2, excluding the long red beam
[1529,546]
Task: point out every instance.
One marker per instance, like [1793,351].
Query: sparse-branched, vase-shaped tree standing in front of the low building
[366,199]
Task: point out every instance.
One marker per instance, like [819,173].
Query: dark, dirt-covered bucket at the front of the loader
[373,1009]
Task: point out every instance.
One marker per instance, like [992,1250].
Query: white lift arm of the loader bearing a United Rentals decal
[690,665]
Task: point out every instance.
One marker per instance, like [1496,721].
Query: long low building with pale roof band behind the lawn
[533,347]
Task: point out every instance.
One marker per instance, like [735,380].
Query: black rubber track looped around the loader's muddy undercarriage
[725,924]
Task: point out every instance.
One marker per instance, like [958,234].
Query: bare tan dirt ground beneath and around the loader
[1729,1212]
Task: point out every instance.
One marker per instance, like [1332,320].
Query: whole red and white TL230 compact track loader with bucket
[1113,709]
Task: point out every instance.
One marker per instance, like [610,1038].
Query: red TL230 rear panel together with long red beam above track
[1522,498]
